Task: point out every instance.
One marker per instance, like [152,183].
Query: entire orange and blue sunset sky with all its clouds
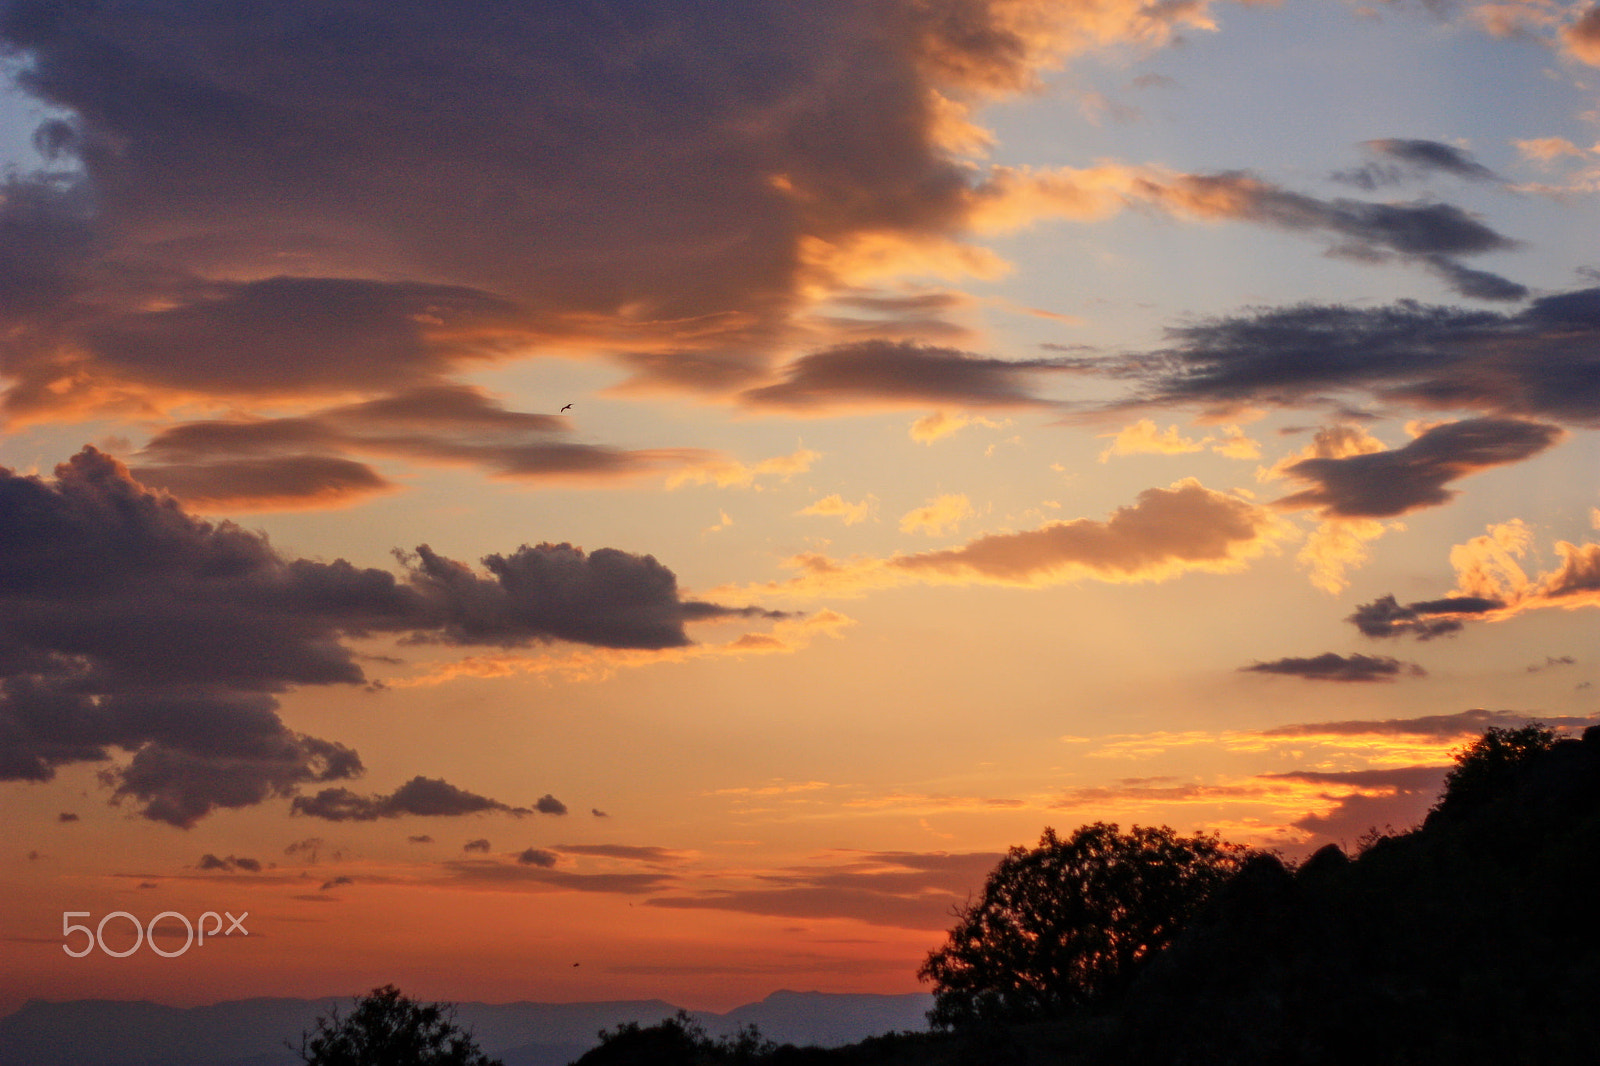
[601,500]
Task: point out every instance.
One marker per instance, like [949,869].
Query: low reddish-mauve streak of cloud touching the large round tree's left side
[897,889]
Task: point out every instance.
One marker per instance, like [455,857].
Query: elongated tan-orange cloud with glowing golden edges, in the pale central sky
[1169,532]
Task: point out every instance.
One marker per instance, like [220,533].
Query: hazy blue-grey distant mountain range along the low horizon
[254,1032]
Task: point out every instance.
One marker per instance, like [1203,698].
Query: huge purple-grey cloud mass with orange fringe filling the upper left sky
[433,186]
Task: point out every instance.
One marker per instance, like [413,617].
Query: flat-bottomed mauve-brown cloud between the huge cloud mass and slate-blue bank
[903,374]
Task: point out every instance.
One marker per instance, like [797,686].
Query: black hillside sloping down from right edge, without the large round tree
[1473,939]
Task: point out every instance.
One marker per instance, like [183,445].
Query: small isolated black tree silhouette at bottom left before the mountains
[390,1030]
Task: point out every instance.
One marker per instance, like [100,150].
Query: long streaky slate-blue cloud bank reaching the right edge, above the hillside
[1538,363]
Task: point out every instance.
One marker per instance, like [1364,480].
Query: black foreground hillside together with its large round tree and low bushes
[1474,939]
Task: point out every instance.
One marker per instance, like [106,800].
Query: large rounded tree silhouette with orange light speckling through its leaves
[1065,924]
